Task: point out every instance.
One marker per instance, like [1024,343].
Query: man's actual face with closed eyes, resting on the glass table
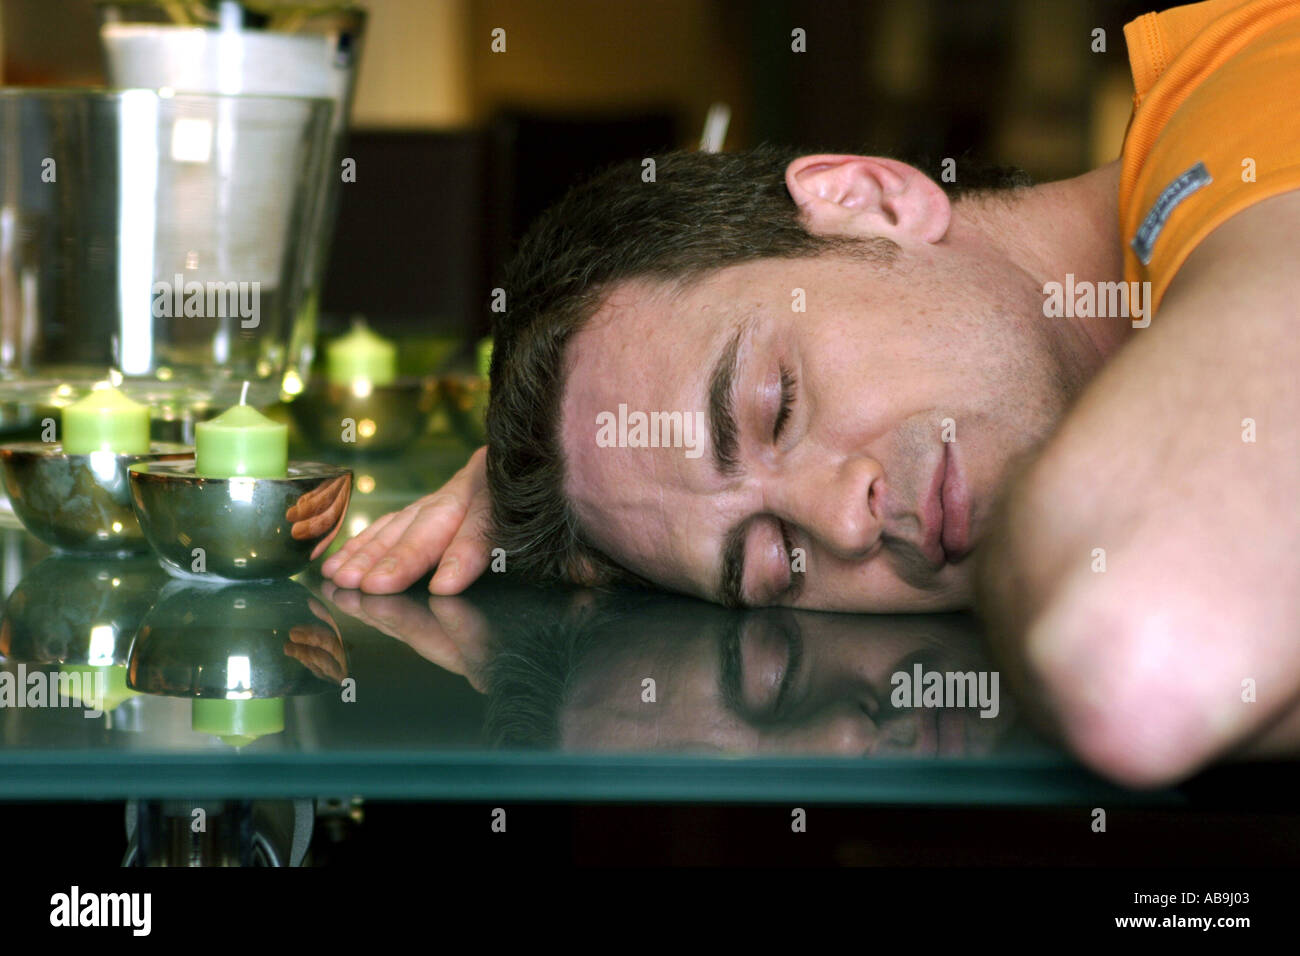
[839,465]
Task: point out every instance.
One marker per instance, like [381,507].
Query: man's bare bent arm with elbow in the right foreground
[1145,583]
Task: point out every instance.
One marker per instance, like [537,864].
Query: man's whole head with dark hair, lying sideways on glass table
[865,361]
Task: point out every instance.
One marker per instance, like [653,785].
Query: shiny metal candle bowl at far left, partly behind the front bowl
[79,504]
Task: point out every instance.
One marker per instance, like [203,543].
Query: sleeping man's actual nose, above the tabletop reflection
[837,501]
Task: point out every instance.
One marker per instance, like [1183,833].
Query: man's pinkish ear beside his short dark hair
[868,196]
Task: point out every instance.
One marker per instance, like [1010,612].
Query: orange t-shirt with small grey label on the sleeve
[1216,126]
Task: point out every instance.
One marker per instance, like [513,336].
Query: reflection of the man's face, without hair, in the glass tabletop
[779,682]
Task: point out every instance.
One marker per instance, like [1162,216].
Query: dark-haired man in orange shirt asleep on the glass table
[1129,473]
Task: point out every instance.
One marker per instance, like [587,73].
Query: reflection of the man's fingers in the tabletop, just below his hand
[448,631]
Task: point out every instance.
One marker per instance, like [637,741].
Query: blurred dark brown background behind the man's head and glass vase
[458,148]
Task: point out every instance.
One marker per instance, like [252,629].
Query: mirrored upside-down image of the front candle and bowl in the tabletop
[237,651]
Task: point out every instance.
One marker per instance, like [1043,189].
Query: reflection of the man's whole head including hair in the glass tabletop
[769,681]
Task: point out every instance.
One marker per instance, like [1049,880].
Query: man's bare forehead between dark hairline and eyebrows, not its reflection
[651,349]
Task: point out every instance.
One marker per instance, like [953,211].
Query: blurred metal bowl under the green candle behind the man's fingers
[383,418]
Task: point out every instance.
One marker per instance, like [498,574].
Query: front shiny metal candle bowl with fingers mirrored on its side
[240,529]
